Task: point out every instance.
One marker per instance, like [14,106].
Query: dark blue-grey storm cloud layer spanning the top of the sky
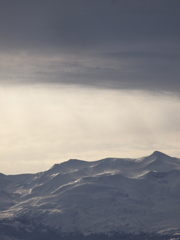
[130,44]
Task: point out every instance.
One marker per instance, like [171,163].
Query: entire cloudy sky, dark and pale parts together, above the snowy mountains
[87,80]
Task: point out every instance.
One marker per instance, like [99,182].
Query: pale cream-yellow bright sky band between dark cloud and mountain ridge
[44,125]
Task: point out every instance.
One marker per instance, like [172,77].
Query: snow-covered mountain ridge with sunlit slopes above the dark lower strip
[109,195]
